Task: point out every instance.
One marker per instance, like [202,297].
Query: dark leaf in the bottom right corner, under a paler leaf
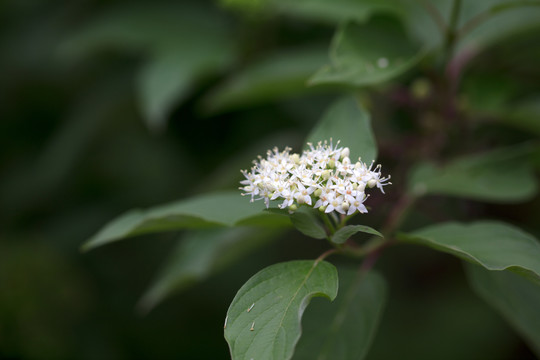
[515,298]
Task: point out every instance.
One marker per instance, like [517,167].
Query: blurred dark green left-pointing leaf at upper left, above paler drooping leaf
[145,27]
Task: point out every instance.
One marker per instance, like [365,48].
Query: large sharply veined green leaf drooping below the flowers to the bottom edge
[263,321]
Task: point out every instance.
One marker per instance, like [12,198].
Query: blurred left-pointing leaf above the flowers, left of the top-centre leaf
[276,77]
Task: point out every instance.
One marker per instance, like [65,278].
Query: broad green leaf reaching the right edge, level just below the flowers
[494,245]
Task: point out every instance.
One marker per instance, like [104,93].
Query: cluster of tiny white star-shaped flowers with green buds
[323,177]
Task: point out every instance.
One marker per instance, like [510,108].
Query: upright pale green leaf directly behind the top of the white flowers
[346,121]
